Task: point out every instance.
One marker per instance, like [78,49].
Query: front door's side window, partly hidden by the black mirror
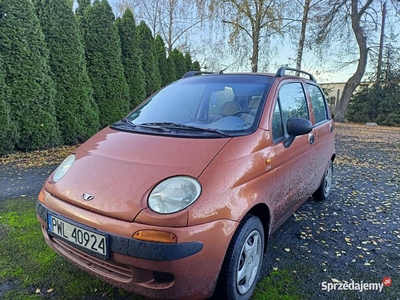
[291,103]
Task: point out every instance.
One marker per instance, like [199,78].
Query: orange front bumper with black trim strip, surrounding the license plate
[185,270]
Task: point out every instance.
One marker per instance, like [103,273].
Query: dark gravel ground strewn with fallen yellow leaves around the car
[352,236]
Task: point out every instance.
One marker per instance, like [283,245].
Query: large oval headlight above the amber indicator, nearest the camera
[174,194]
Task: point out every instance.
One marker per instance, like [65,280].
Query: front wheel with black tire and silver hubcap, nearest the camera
[243,260]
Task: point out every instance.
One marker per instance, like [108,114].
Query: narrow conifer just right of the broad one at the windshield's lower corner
[131,58]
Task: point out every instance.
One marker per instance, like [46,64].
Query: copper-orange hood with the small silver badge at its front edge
[119,169]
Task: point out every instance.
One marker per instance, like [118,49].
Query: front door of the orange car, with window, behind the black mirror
[296,161]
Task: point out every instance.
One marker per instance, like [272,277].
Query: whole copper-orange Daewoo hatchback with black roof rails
[177,199]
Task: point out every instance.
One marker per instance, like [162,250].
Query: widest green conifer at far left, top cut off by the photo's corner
[25,58]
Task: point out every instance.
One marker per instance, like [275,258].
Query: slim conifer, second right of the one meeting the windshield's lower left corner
[149,60]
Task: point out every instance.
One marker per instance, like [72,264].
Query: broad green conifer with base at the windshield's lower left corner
[104,63]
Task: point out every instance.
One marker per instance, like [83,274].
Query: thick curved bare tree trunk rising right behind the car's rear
[354,80]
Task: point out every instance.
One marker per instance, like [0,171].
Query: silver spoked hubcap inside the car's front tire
[249,262]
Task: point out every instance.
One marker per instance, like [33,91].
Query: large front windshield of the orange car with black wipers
[222,104]
